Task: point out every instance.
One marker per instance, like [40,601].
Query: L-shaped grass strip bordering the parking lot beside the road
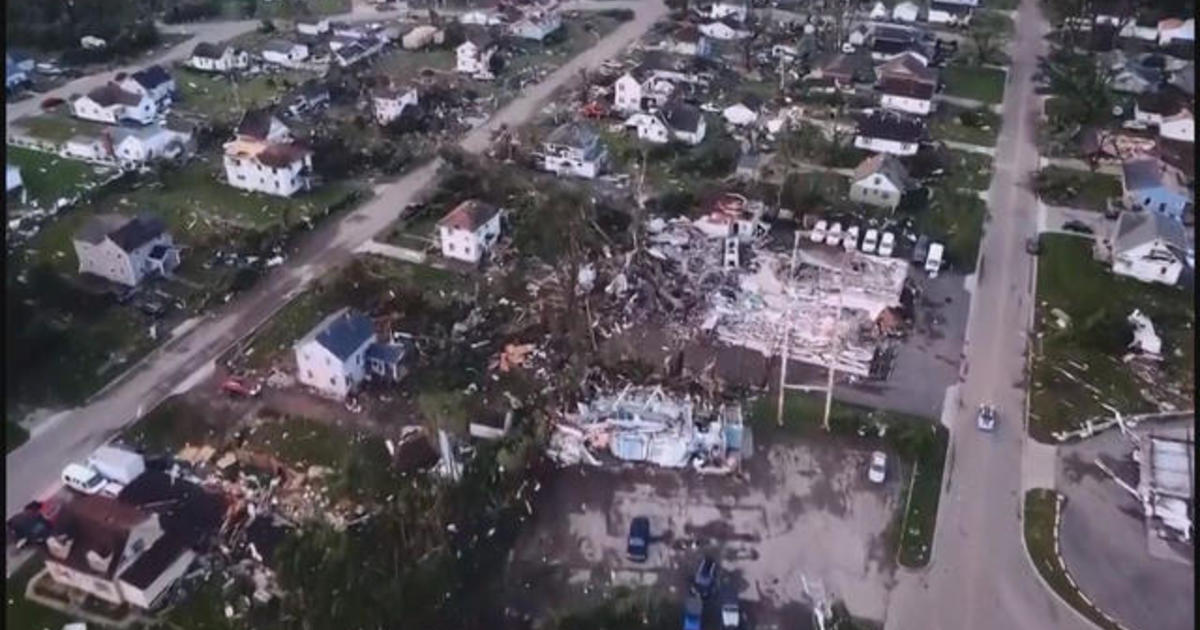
[921,443]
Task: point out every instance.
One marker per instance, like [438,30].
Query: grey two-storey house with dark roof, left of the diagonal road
[125,250]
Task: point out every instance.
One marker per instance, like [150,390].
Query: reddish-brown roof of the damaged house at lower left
[100,525]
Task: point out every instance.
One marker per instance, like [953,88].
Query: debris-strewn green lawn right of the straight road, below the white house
[1090,350]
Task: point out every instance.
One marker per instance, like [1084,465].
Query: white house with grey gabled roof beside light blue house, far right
[1150,248]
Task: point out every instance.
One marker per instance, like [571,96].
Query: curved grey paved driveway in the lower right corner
[1105,542]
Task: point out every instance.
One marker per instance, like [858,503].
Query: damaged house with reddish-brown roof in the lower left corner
[116,553]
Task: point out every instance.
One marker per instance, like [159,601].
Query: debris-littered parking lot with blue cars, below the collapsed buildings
[800,511]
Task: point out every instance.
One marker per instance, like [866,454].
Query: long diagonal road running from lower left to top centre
[33,470]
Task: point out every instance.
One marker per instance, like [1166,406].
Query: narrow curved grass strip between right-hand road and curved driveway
[1041,514]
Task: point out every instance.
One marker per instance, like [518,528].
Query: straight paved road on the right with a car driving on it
[980,578]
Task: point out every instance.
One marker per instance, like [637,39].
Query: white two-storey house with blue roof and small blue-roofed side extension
[343,352]
